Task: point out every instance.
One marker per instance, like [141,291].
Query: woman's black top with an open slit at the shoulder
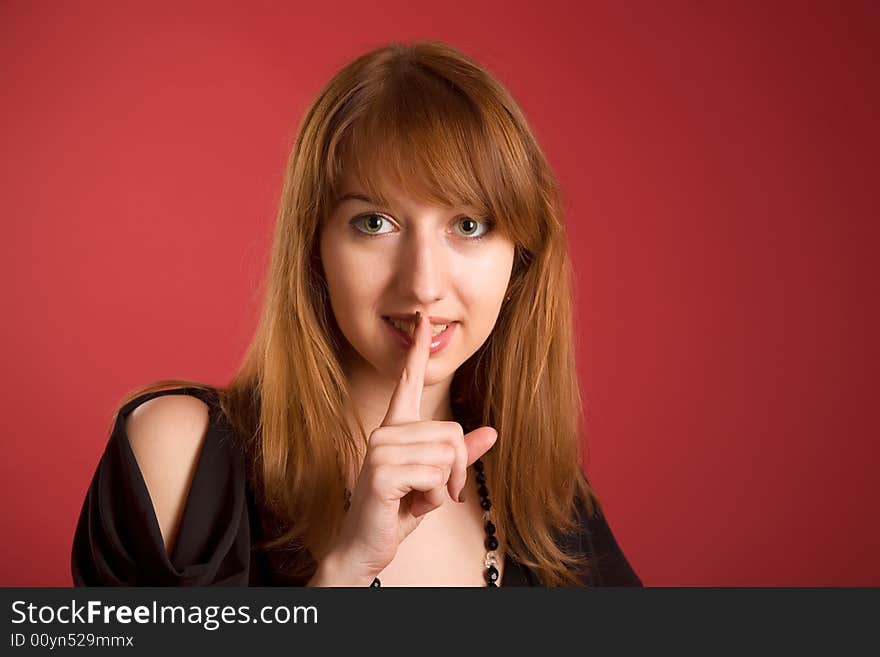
[118,542]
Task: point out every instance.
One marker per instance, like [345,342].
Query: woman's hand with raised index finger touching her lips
[409,467]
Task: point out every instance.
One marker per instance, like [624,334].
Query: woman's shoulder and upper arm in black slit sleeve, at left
[168,502]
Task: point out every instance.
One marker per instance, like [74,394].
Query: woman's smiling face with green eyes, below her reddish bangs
[410,256]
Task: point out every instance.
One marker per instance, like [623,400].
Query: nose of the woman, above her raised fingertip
[423,267]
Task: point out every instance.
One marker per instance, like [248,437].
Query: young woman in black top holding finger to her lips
[408,411]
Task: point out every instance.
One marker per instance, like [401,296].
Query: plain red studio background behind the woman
[720,168]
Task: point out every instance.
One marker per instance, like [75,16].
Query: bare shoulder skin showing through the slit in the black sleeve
[166,434]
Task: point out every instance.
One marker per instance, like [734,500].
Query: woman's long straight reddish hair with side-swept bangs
[446,131]
